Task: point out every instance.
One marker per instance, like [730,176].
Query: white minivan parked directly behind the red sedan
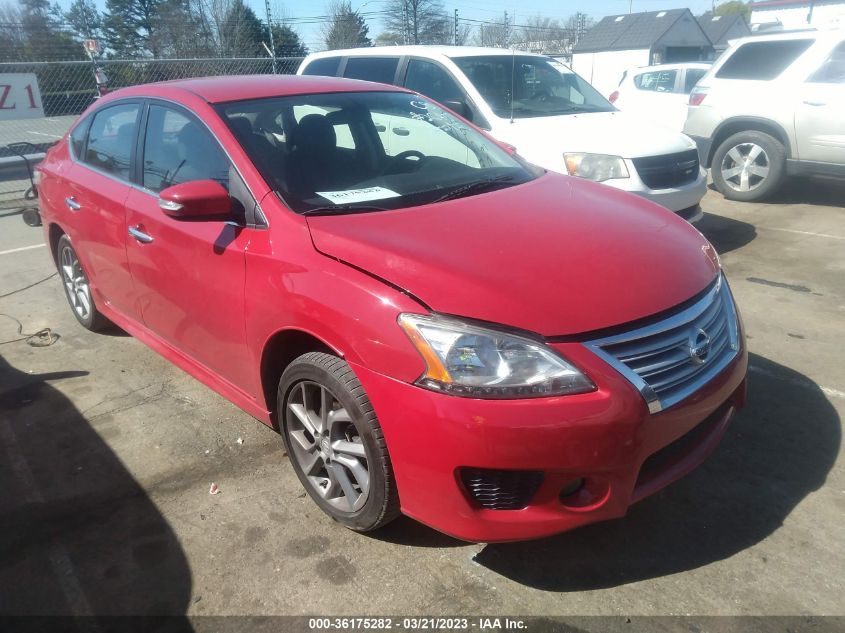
[552,116]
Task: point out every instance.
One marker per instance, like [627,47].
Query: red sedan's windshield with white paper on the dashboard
[369,151]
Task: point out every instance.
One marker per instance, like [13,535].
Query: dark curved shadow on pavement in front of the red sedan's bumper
[777,451]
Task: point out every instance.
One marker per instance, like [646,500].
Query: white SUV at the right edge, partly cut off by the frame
[771,106]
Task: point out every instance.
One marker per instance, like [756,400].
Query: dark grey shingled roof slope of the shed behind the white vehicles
[629,31]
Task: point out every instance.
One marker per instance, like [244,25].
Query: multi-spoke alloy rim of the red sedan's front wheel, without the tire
[327,446]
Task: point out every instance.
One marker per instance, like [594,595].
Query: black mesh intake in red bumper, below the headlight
[501,489]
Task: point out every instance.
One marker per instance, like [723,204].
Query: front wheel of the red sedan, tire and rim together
[335,442]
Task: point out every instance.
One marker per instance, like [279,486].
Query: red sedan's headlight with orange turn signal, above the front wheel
[465,360]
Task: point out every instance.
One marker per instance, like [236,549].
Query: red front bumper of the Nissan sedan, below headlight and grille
[606,437]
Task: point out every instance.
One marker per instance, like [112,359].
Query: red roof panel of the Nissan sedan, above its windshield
[243,87]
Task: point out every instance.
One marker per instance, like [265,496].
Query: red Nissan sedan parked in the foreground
[435,326]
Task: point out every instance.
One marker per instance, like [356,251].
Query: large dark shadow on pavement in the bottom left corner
[78,534]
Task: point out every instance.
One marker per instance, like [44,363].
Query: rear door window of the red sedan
[111,138]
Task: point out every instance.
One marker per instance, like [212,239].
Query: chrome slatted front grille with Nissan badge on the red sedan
[669,360]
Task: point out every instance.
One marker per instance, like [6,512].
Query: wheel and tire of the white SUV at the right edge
[749,166]
